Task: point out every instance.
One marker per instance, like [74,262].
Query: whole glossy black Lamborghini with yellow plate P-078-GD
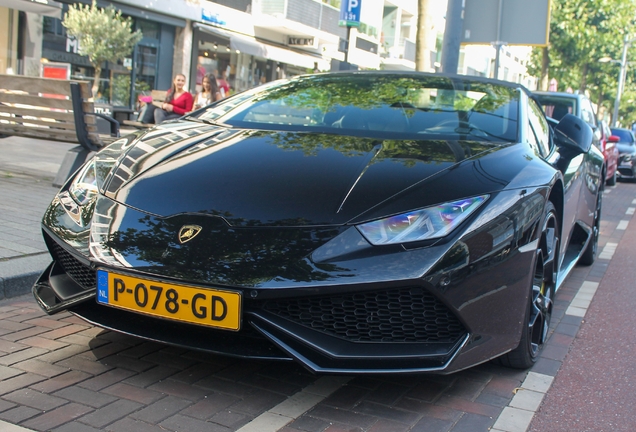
[359,222]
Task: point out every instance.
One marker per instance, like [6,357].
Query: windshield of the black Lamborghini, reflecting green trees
[376,105]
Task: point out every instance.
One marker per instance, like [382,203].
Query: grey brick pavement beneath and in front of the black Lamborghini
[59,373]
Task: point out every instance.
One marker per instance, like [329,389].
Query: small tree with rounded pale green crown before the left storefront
[103,35]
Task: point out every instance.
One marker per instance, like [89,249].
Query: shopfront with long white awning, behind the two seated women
[244,61]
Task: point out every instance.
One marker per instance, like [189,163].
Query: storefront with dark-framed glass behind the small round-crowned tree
[34,42]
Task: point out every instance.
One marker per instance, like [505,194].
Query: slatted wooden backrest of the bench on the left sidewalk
[42,108]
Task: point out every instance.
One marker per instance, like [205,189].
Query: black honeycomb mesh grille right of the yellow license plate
[401,315]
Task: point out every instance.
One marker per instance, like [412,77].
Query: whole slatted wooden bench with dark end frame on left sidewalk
[56,110]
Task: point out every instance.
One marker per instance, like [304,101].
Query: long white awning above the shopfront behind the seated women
[249,45]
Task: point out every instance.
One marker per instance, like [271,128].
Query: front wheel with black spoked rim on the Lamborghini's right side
[541,298]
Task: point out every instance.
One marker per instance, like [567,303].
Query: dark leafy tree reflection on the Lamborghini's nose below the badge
[220,255]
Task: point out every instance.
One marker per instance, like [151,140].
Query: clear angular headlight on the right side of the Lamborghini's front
[424,224]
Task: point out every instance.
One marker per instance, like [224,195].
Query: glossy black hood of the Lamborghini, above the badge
[277,178]
